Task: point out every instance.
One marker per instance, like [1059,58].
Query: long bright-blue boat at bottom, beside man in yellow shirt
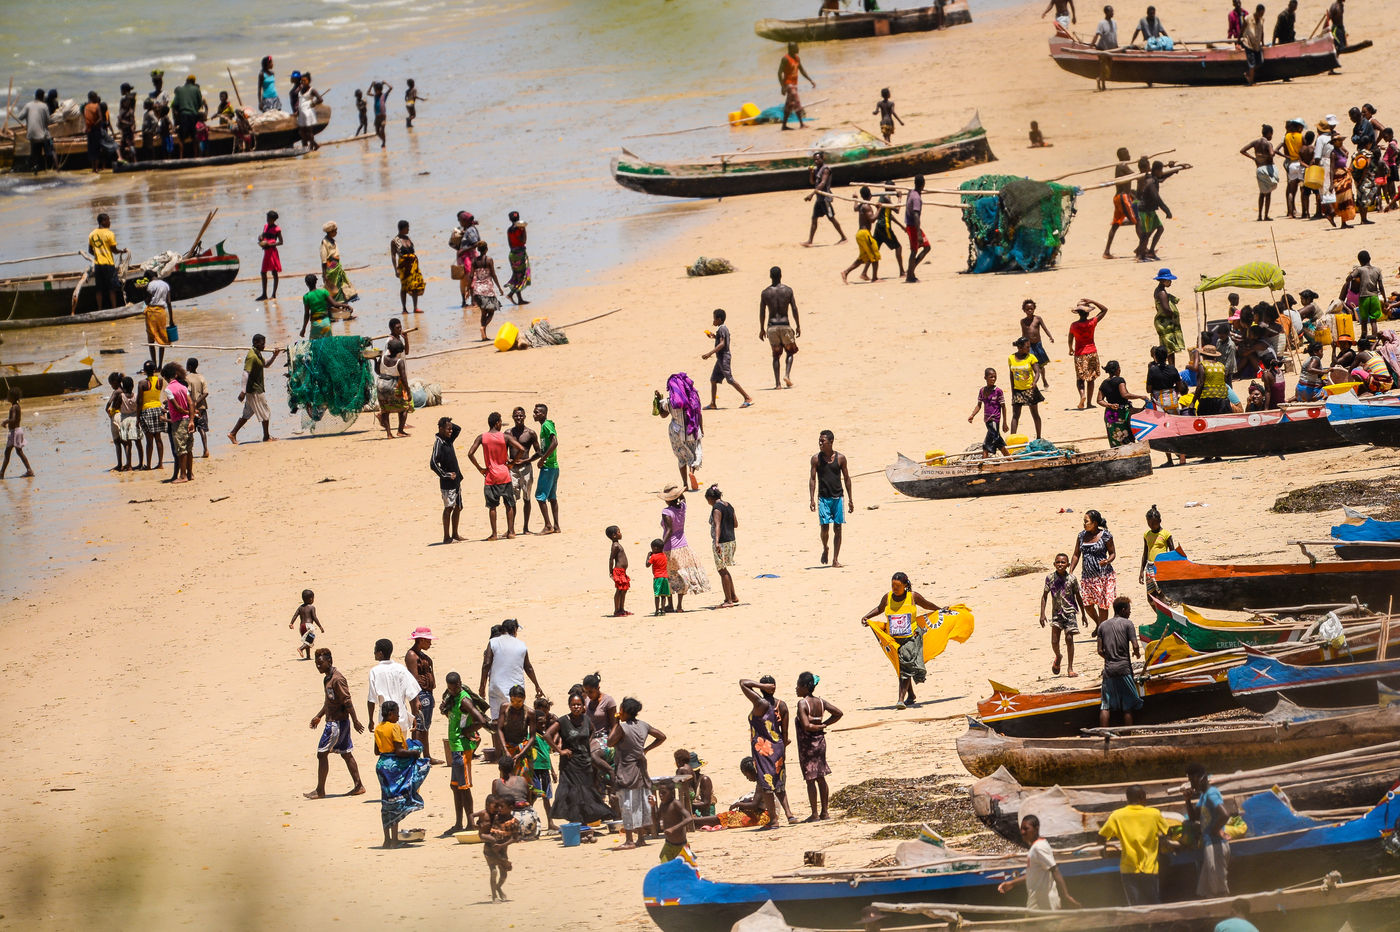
[1282,849]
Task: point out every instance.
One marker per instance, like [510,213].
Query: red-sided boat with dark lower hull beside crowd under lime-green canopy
[1290,430]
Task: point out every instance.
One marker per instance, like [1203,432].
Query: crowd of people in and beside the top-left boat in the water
[177,124]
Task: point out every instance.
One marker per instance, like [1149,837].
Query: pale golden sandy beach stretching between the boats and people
[159,705]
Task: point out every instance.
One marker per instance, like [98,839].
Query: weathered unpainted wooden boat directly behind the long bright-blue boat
[1073,815]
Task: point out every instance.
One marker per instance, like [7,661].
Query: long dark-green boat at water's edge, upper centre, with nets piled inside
[751,174]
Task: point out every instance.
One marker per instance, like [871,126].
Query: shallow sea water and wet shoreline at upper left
[527,101]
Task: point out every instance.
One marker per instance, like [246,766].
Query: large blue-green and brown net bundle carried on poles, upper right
[1016,225]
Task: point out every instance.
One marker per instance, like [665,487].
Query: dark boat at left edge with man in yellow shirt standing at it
[48,299]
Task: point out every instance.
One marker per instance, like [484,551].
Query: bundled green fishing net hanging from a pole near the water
[330,379]
